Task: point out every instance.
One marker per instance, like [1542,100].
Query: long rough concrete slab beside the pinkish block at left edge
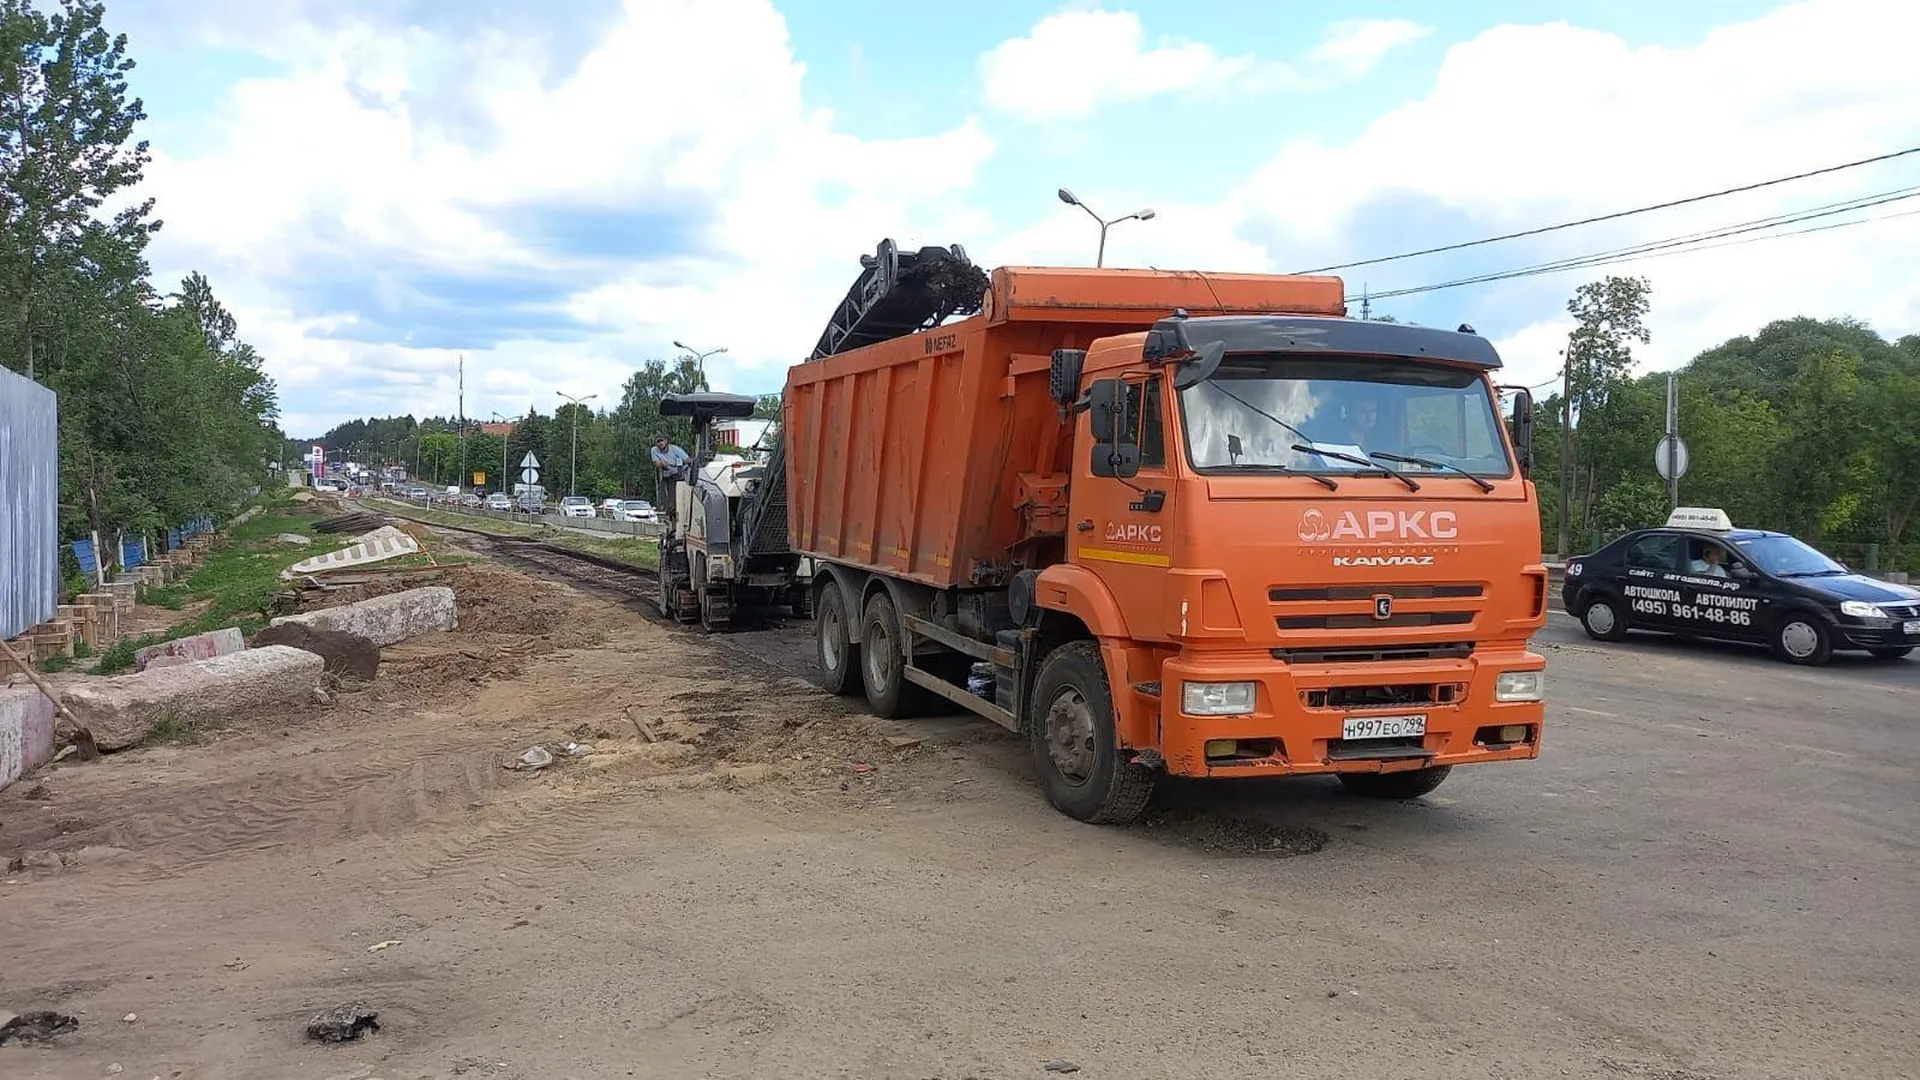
[122,710]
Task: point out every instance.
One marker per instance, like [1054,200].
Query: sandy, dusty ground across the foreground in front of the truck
[1712,875]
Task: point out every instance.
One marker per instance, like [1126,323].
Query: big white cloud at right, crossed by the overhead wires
[1539,124]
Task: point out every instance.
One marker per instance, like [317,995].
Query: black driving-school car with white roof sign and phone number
[1700,577]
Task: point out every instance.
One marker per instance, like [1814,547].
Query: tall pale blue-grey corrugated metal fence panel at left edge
[30,504]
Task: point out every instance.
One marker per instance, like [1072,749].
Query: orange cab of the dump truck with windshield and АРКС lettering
[1303,545]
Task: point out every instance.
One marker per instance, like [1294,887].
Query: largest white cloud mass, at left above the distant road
[345,159]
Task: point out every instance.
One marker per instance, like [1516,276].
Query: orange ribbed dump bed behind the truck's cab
[905,456]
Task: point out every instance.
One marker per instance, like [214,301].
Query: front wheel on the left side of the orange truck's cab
[1076,750]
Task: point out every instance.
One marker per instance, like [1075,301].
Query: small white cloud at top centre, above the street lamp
[1074,62]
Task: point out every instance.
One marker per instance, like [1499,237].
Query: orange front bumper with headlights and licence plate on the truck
[1301,708]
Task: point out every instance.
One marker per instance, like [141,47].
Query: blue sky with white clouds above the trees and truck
[381,189]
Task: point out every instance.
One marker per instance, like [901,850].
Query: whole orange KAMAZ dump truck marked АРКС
[1174,524]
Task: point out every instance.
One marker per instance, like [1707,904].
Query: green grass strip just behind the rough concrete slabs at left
[237,583]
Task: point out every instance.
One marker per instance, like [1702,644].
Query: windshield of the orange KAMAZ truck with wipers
[1257,408]
